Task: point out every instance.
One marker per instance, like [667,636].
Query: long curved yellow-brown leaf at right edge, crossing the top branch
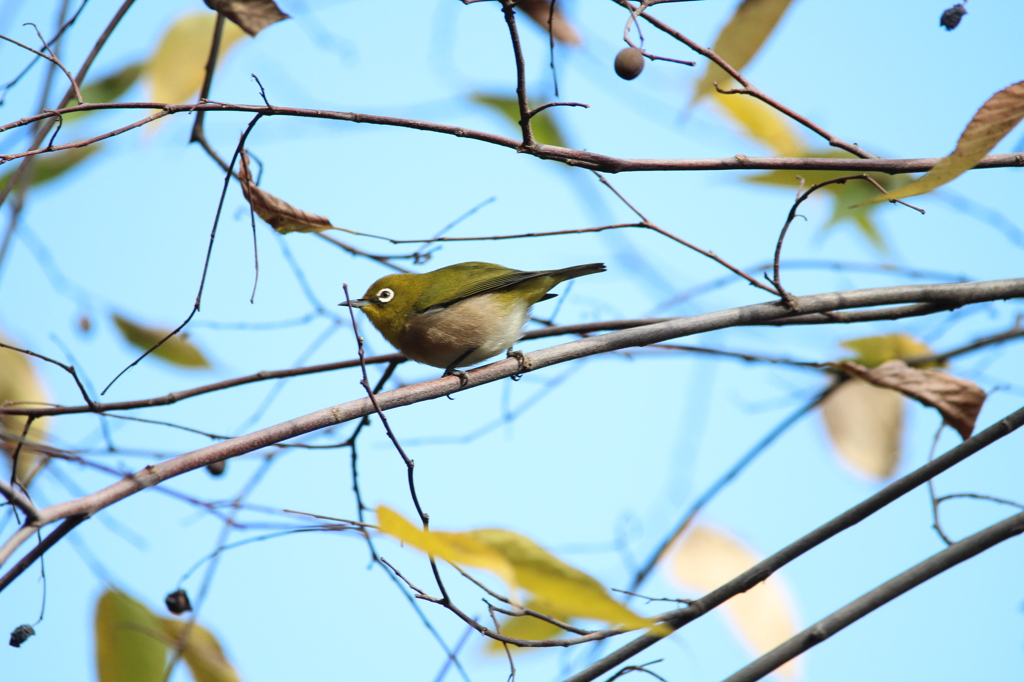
[993,122]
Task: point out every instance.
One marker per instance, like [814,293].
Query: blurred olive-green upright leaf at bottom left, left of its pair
[130,645]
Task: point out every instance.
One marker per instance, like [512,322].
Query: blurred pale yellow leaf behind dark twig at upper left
[178,69]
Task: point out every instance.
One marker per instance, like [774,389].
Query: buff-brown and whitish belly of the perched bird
[483,326]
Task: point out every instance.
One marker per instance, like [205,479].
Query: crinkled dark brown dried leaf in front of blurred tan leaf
[959,401]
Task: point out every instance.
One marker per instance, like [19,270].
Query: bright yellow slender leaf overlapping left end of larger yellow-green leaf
[457,548]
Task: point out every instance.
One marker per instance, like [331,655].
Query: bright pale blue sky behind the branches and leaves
[609,452]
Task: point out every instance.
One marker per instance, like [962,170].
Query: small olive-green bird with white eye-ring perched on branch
[460,315]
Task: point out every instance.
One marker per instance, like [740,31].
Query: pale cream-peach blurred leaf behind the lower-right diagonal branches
[763,616]
